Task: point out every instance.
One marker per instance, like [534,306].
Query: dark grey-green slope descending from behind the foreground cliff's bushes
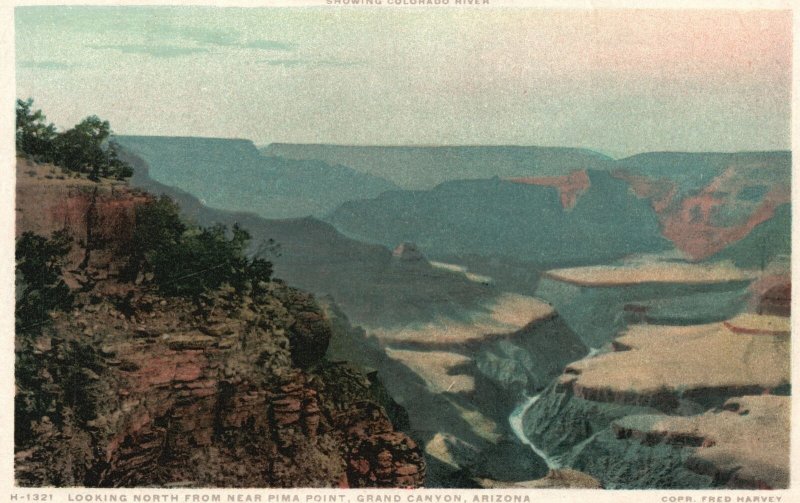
[366,280]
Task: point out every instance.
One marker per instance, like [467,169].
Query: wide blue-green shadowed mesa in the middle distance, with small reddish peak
[497,217]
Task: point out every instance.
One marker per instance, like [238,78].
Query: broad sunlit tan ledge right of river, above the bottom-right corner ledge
[659,366]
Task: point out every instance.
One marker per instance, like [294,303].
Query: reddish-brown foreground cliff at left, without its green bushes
[133,389]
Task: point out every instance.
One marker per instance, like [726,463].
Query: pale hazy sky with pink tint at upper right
[620,82]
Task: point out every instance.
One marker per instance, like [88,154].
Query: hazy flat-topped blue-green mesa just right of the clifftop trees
[231,174]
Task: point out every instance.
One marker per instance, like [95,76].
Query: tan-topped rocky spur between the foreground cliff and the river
[459,381]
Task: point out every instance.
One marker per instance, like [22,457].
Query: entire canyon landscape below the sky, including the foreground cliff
[579,322]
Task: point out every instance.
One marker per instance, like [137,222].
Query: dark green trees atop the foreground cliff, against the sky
[86,148]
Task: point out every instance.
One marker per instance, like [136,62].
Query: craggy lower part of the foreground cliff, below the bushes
[209,399]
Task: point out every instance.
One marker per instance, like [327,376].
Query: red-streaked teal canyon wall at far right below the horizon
[706,202]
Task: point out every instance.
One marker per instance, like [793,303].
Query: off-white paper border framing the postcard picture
[7,181]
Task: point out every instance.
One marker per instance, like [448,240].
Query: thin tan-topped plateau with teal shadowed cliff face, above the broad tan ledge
[599,302]
